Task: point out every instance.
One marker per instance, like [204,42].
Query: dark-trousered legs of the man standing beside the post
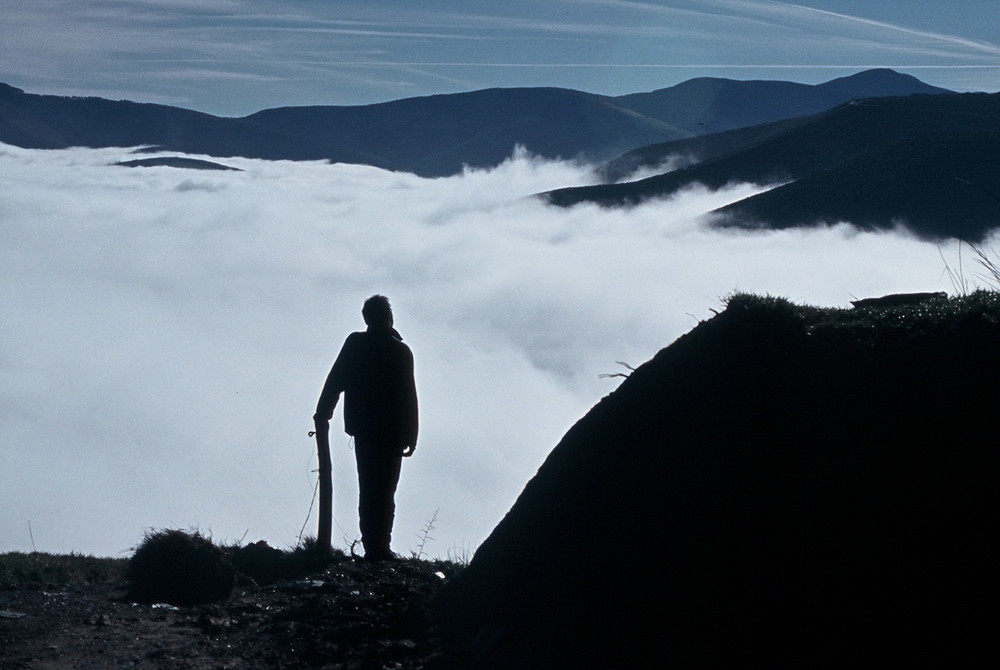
[378,476]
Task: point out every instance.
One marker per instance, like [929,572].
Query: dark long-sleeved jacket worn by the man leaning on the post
[374,371]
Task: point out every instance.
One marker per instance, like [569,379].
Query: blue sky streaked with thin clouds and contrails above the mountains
[234,57]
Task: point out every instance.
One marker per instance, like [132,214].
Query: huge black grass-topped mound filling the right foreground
[782,487]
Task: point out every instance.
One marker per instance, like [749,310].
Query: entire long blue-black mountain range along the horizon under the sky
[441,134]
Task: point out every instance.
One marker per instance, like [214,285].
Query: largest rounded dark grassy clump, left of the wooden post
[180,568]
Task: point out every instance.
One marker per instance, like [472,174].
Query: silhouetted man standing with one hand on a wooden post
[374,371]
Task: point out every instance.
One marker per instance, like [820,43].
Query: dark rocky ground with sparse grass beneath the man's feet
[353,615]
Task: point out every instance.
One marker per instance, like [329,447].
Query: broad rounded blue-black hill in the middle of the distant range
[441,134]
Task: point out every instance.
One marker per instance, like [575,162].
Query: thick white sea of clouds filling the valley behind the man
[166,332]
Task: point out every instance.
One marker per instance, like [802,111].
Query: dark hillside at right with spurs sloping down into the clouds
[927,162]
